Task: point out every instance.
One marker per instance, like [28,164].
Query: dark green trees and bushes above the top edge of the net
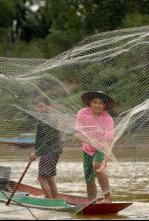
[45,28]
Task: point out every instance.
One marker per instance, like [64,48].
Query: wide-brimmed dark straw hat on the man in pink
[89,96]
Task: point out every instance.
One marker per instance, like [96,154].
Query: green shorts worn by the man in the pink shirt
[88,164]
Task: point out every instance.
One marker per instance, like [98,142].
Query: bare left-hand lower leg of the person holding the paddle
[45,187]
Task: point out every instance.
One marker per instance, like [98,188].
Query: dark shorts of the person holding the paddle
[47,165]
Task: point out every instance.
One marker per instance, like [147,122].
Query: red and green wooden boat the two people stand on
[32,197]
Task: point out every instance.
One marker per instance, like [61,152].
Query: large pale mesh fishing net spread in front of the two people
[40,109]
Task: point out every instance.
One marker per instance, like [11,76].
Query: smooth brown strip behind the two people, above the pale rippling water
[124,150]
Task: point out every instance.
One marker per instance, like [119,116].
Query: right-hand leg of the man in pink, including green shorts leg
[102,178]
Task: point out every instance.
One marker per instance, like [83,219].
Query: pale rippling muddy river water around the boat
[70,180]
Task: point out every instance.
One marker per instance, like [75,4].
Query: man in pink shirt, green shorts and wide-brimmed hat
[95,128]
